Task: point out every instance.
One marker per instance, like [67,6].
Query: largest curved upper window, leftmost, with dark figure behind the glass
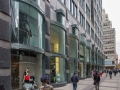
[27,24]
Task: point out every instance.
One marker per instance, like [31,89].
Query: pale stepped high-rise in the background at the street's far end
[109,42]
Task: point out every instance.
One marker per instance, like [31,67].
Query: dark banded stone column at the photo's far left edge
[5,46]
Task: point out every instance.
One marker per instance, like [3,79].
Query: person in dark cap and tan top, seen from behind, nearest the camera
[45,85]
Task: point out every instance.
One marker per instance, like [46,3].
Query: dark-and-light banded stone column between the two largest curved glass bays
[47,39]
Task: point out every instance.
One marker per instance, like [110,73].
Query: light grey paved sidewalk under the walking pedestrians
[87,84]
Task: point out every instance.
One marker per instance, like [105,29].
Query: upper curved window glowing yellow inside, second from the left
[57,40]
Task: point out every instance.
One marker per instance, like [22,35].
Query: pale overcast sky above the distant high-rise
[112,8]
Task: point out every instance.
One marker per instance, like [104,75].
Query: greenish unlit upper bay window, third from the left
[73,47]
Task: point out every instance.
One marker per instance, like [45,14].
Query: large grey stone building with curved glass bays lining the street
[49,37]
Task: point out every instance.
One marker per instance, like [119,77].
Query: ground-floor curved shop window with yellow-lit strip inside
[57,67]
